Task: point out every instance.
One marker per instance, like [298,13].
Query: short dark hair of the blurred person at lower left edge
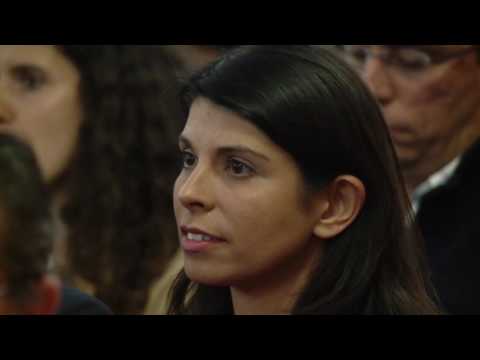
[26,223]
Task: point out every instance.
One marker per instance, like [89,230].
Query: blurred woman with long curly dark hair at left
[103,120]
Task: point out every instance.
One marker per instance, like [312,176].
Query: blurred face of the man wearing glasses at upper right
[430,96]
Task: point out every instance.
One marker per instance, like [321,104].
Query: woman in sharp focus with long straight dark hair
[290,200]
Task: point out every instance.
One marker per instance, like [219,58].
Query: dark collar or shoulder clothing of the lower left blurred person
[75,302]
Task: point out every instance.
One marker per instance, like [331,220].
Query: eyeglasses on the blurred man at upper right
[408,60]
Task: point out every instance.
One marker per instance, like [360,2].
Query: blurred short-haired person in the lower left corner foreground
[27,286]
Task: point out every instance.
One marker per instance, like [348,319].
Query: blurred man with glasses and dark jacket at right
[430,96]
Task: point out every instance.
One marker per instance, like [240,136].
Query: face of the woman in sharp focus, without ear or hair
[240,204]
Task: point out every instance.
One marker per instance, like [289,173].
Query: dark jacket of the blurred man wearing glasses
[450,221]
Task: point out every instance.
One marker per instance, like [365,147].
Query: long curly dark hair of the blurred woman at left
[119,213]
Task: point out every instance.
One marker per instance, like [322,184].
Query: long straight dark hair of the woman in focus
[314,107]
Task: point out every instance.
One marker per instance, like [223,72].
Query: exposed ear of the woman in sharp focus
[342,201]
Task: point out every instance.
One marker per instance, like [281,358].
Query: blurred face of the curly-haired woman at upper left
[40,102]
